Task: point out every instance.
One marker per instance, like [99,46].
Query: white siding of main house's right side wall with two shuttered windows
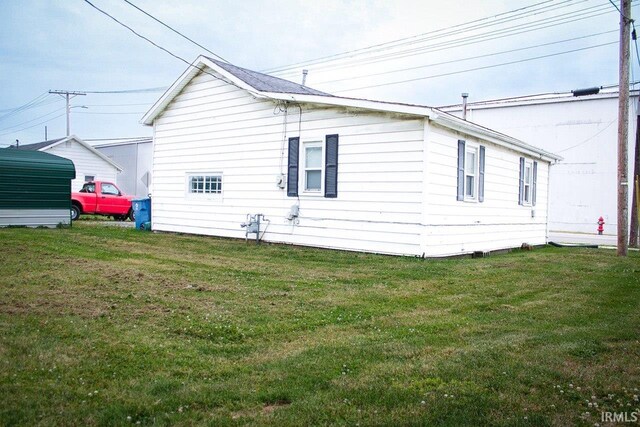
[497,223]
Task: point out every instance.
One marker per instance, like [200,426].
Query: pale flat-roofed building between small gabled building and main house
[135,156]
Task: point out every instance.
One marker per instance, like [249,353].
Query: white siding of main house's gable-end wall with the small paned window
[215,126]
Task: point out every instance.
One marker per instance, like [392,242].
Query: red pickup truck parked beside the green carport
[101,198]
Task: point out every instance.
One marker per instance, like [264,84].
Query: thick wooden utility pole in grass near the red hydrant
[623,130]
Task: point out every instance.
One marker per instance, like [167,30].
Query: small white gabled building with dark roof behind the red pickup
[90,163]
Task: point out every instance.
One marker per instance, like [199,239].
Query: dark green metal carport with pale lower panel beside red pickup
[35,188]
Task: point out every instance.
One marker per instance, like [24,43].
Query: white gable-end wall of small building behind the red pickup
[87,163]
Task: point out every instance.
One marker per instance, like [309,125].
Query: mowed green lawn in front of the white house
[110,326]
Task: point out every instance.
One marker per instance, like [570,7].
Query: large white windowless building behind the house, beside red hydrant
[584,131]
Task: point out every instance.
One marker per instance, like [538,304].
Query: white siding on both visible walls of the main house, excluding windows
[396,177]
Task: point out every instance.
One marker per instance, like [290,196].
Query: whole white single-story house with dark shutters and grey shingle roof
[337,172]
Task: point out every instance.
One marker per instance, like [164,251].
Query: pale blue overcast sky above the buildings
[68,45]
